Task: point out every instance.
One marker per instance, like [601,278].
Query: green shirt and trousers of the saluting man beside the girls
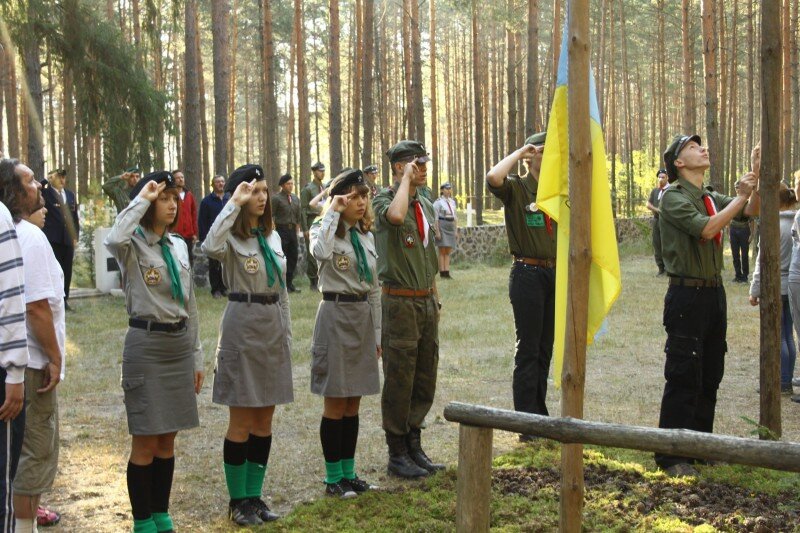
[410,337]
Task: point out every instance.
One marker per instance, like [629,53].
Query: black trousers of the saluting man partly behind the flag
[531,290]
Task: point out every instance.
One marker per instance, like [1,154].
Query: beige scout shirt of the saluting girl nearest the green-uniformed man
[338,264]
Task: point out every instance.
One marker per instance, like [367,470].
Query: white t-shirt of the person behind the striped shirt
[44,279]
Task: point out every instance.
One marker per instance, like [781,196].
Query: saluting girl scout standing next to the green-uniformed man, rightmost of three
[347,333]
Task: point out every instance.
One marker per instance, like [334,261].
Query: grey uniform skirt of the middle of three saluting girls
[254,361]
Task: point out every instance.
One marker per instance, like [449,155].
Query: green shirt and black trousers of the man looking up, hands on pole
[695,311]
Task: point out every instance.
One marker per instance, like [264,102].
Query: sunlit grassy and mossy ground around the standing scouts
[625,492]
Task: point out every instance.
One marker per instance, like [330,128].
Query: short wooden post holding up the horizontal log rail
[474,484]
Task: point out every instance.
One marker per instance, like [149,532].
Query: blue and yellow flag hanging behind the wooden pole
[553,198]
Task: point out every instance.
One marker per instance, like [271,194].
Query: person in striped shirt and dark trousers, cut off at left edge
[14,343]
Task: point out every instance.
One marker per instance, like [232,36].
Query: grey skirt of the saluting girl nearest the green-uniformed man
[344,361]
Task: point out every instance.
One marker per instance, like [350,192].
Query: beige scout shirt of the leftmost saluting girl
[148,292]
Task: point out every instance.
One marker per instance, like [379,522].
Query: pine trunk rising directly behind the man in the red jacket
[192,156]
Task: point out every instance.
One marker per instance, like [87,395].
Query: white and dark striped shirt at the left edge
[13,335]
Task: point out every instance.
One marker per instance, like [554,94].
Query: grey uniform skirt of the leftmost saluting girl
[158,382]
